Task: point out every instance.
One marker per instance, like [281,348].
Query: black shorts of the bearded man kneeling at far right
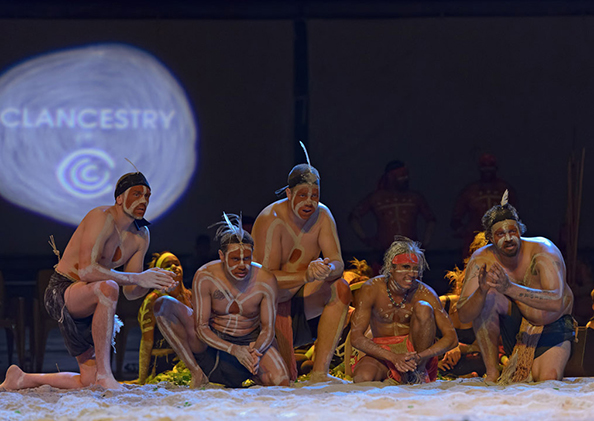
[552,334]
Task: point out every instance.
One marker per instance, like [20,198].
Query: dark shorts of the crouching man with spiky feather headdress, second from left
[222,367]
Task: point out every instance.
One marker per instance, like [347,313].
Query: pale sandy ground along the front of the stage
[471,399]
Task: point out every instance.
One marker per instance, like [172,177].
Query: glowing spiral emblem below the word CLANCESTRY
[86,173]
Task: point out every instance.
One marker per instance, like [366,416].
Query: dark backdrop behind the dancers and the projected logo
[433,92]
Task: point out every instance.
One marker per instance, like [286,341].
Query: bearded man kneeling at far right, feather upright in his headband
[516,287]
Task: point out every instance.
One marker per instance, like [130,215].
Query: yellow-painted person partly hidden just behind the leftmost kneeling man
[155,354]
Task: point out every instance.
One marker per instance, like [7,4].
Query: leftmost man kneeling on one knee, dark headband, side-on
[83,292]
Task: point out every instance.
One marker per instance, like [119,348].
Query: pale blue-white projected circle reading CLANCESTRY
[68,120]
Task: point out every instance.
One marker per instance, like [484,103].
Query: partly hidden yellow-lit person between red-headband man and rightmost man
[465,358]
